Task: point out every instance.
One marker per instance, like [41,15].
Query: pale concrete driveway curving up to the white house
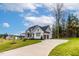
[39,49]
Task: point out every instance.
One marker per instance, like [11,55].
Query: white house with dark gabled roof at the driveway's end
[39,32]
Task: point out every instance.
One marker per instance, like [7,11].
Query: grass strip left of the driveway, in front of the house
[6,45]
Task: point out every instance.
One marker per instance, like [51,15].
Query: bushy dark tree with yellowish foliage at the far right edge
[72,26]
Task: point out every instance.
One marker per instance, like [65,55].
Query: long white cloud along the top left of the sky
[19,7]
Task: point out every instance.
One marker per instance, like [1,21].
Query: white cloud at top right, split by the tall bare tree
[70,6]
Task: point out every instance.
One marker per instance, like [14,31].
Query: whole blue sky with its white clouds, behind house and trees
[16,18]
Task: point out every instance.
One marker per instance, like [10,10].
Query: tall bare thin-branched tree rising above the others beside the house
[58,13]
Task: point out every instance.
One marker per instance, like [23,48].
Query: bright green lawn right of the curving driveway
[71,48]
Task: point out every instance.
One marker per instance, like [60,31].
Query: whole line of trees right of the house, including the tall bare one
[65,28]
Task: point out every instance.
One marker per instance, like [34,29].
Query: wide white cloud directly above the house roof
[43,20]
